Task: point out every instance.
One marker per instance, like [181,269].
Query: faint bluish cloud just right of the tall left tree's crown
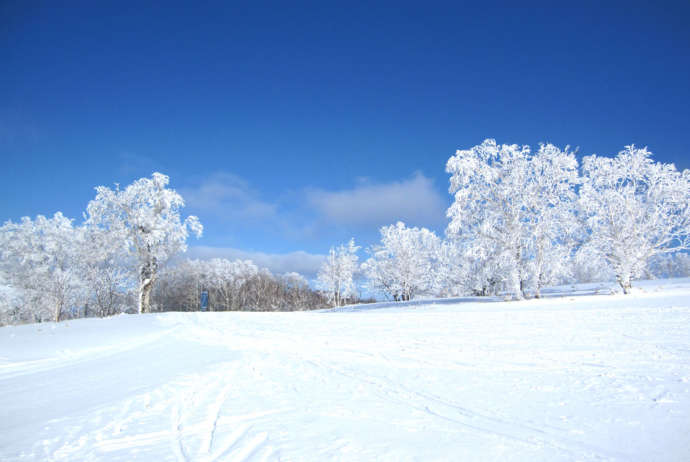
[228,196]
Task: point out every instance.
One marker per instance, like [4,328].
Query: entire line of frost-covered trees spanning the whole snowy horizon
[520,220]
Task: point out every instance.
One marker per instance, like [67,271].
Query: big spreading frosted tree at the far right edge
[634,209]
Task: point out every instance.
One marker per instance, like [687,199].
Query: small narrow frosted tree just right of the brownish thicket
[335,277]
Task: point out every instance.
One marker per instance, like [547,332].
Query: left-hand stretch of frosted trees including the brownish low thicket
[118,259]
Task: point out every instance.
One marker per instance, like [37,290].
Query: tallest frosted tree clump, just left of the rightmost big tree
[511,214]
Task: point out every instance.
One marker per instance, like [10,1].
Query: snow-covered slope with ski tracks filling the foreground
[580,377]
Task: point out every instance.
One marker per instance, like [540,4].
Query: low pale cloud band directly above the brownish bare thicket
[301,262]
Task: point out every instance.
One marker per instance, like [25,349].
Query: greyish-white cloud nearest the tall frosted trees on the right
[414,201]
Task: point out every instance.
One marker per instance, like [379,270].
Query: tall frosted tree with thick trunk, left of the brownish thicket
[146,216]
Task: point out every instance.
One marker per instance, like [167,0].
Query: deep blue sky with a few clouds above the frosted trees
[292,127]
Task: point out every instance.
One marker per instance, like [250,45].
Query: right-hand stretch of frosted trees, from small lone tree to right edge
[521,220]
